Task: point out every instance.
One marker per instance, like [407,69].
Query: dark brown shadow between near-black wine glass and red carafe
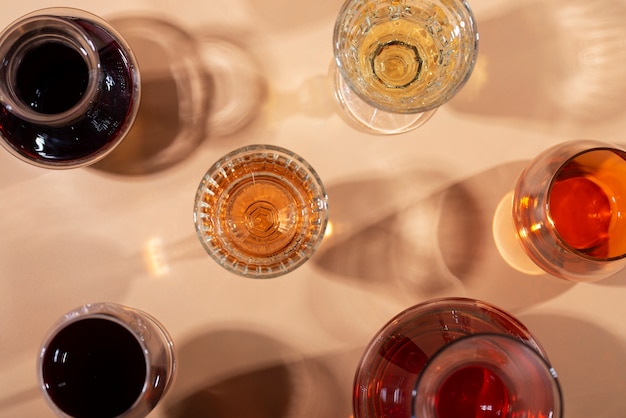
[233,372]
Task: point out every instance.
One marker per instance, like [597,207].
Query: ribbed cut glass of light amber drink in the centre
[261,211]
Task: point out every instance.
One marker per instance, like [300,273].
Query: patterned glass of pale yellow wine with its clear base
[397,61]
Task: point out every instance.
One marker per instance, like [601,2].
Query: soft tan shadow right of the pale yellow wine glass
[554,61]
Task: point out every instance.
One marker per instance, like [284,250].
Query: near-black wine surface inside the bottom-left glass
[94,368]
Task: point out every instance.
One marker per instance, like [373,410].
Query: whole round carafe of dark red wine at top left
[69,88]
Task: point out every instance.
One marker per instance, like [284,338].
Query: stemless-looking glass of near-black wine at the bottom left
[106,360]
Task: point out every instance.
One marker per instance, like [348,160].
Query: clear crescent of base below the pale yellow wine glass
[368,118]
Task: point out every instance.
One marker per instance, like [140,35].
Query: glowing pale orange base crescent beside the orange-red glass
[506,239]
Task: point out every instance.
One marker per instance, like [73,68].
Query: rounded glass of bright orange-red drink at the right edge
[569,210]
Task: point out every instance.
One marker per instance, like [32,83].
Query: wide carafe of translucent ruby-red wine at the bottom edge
[455,358]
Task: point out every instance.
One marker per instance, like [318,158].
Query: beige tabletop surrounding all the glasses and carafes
[410,215]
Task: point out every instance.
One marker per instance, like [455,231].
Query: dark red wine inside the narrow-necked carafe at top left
[51,79]
